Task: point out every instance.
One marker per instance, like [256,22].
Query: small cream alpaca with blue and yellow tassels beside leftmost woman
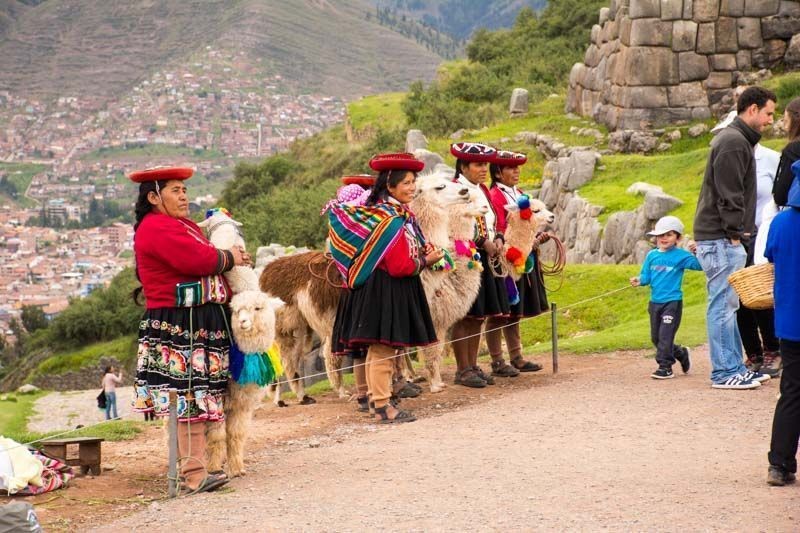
[253,325]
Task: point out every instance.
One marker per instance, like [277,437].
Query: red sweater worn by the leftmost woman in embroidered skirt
[170,251]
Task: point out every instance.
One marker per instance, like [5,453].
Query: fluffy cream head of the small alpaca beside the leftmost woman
[253,320]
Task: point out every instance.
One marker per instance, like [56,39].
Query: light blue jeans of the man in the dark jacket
[719,259]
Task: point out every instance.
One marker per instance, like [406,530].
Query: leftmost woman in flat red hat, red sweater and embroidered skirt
[184,339]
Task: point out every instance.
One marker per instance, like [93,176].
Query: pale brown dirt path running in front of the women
[600,446]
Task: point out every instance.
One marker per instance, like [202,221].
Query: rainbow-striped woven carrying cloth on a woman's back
[361,235]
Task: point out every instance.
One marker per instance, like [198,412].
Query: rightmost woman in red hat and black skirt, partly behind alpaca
[531,298]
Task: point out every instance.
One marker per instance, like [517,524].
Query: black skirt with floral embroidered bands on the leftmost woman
[186,348]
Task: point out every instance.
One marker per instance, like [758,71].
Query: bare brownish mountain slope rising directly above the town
[102,49]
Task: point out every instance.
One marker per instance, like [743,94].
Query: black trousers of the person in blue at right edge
[786,422]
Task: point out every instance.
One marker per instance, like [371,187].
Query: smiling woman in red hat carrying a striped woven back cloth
[380,251]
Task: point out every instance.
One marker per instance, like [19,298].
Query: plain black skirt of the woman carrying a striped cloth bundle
[385,310]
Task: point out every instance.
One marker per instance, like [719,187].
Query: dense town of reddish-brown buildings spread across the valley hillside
[208,113]
